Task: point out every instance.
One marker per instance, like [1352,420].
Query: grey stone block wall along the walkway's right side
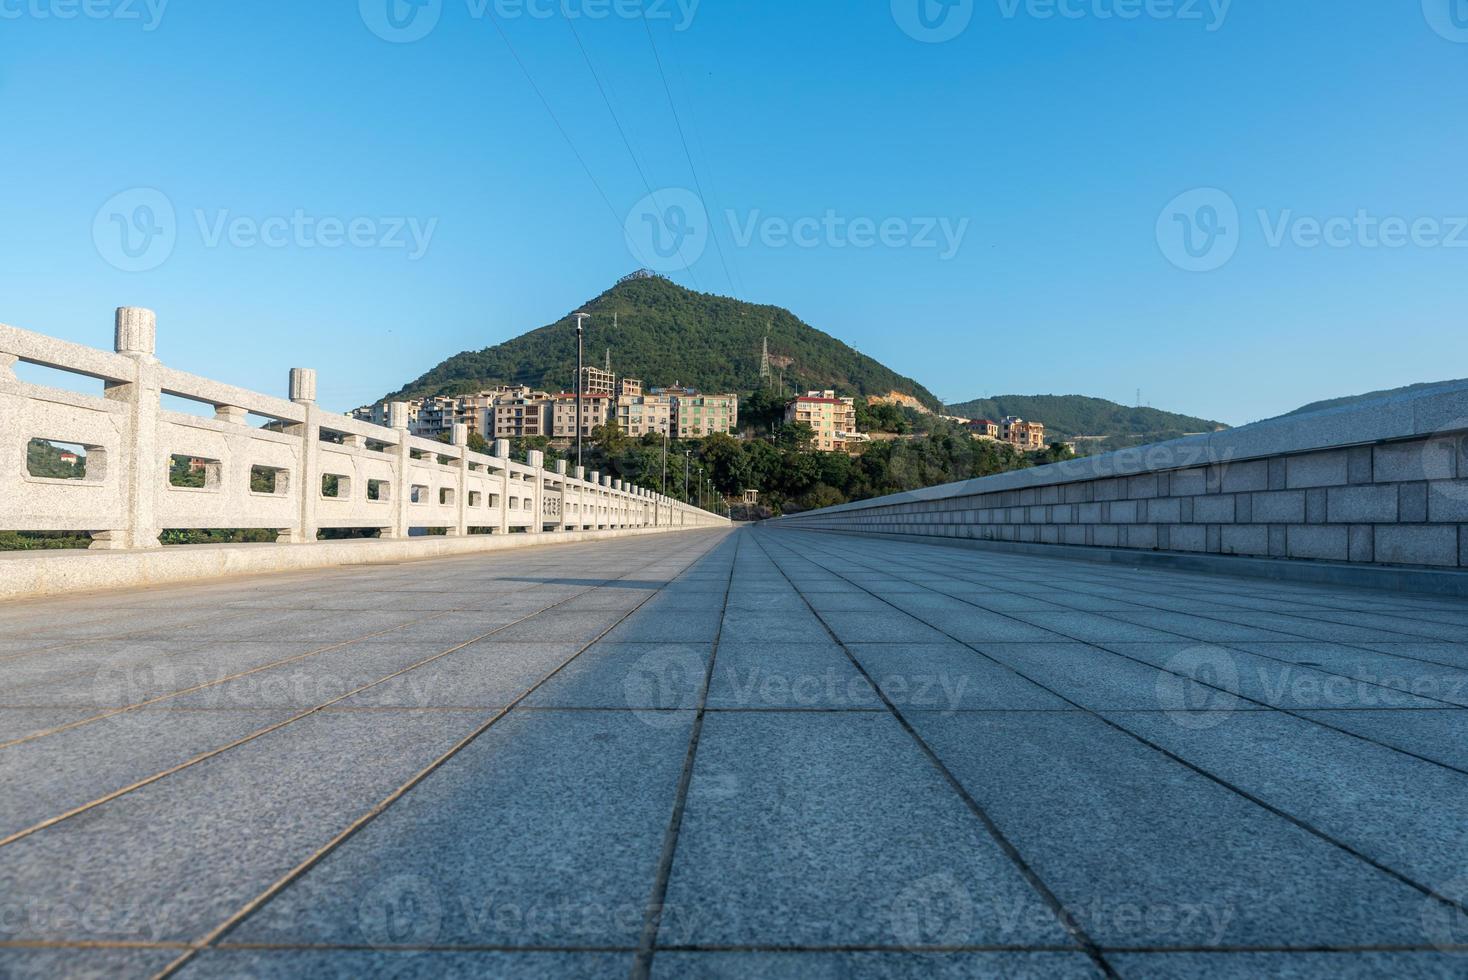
[1382,483]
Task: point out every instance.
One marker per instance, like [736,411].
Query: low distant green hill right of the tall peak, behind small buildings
[1071,416]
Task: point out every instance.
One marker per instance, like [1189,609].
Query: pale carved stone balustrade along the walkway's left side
[264,463]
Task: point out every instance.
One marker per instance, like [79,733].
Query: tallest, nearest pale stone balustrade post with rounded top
[142,472]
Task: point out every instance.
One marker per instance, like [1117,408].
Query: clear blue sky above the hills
[1080,153]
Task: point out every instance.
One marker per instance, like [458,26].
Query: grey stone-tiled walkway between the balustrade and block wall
[735,753]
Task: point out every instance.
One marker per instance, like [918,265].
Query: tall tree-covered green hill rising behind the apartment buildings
[664,334]
